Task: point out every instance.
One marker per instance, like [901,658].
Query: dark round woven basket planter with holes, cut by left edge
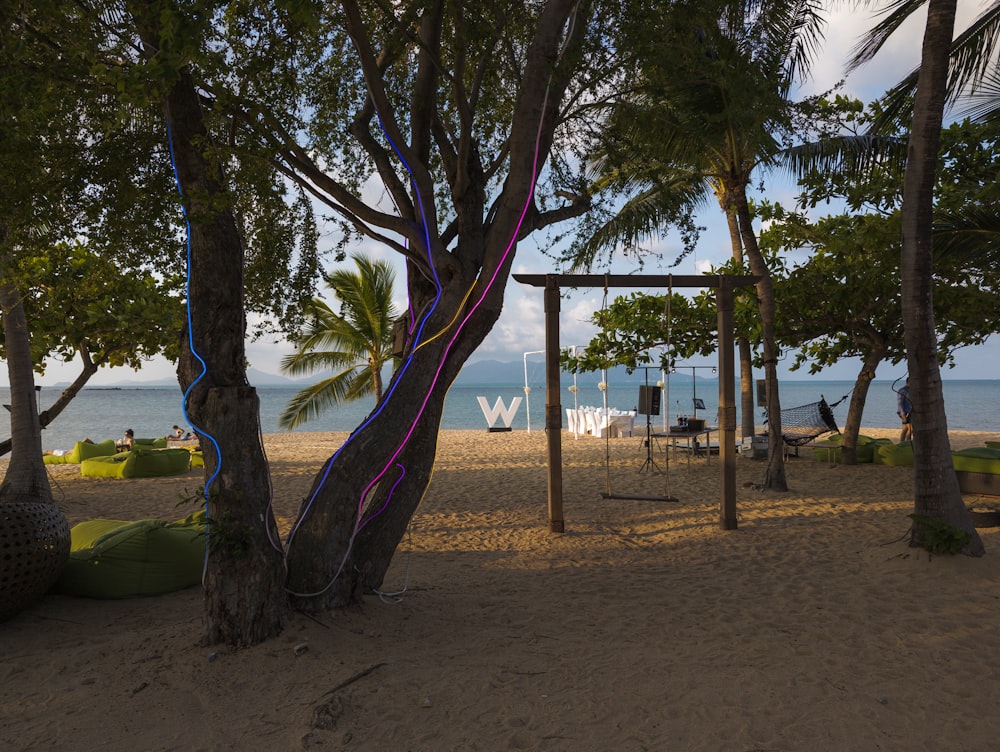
[34,547]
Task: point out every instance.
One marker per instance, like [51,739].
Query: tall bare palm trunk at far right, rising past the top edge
[936,491]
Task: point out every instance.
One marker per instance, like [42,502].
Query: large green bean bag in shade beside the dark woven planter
[119,559]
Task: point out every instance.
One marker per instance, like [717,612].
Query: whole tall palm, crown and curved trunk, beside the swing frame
[708,115]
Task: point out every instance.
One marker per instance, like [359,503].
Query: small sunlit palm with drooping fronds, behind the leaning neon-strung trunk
[358,342]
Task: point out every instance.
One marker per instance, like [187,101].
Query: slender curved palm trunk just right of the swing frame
[774,477]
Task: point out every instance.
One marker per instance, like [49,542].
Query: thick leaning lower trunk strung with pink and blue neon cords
[360,506]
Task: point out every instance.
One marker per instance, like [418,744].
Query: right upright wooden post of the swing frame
[727,403]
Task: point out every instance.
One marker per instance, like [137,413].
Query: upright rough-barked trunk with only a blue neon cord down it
[245,601]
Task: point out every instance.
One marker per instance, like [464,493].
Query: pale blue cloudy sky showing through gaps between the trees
[520,328]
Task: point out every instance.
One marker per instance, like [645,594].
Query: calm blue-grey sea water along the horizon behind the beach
[105,412]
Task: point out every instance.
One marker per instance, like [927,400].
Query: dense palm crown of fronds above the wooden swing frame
[709,107]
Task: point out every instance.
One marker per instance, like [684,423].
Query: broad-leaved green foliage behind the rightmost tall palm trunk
[843,299]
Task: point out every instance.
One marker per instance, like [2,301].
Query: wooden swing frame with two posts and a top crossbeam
[724,286]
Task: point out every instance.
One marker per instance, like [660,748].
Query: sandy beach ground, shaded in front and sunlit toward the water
[643,627]
